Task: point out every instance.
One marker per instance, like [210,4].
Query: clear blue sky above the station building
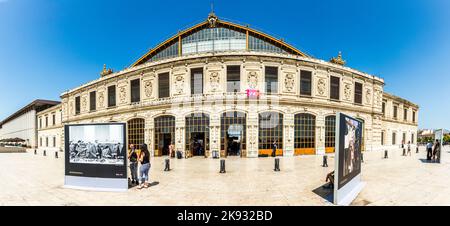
[49,46]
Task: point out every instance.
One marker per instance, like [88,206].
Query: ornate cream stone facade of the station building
[215,100]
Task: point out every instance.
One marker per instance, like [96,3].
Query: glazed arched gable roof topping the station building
[215,35]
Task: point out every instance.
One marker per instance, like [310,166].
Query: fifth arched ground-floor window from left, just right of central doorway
[270,130]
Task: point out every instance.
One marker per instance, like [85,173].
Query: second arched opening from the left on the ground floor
[164,134]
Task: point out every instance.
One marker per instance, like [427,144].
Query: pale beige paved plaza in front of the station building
[29,179]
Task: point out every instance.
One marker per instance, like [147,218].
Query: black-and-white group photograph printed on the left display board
[97,144]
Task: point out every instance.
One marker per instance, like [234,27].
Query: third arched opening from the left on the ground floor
[197,134]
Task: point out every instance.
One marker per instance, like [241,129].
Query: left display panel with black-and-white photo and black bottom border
[96,150]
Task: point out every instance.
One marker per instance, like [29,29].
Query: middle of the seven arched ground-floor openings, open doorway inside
[233,133]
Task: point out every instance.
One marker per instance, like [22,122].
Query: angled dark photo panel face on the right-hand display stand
[350,141]
